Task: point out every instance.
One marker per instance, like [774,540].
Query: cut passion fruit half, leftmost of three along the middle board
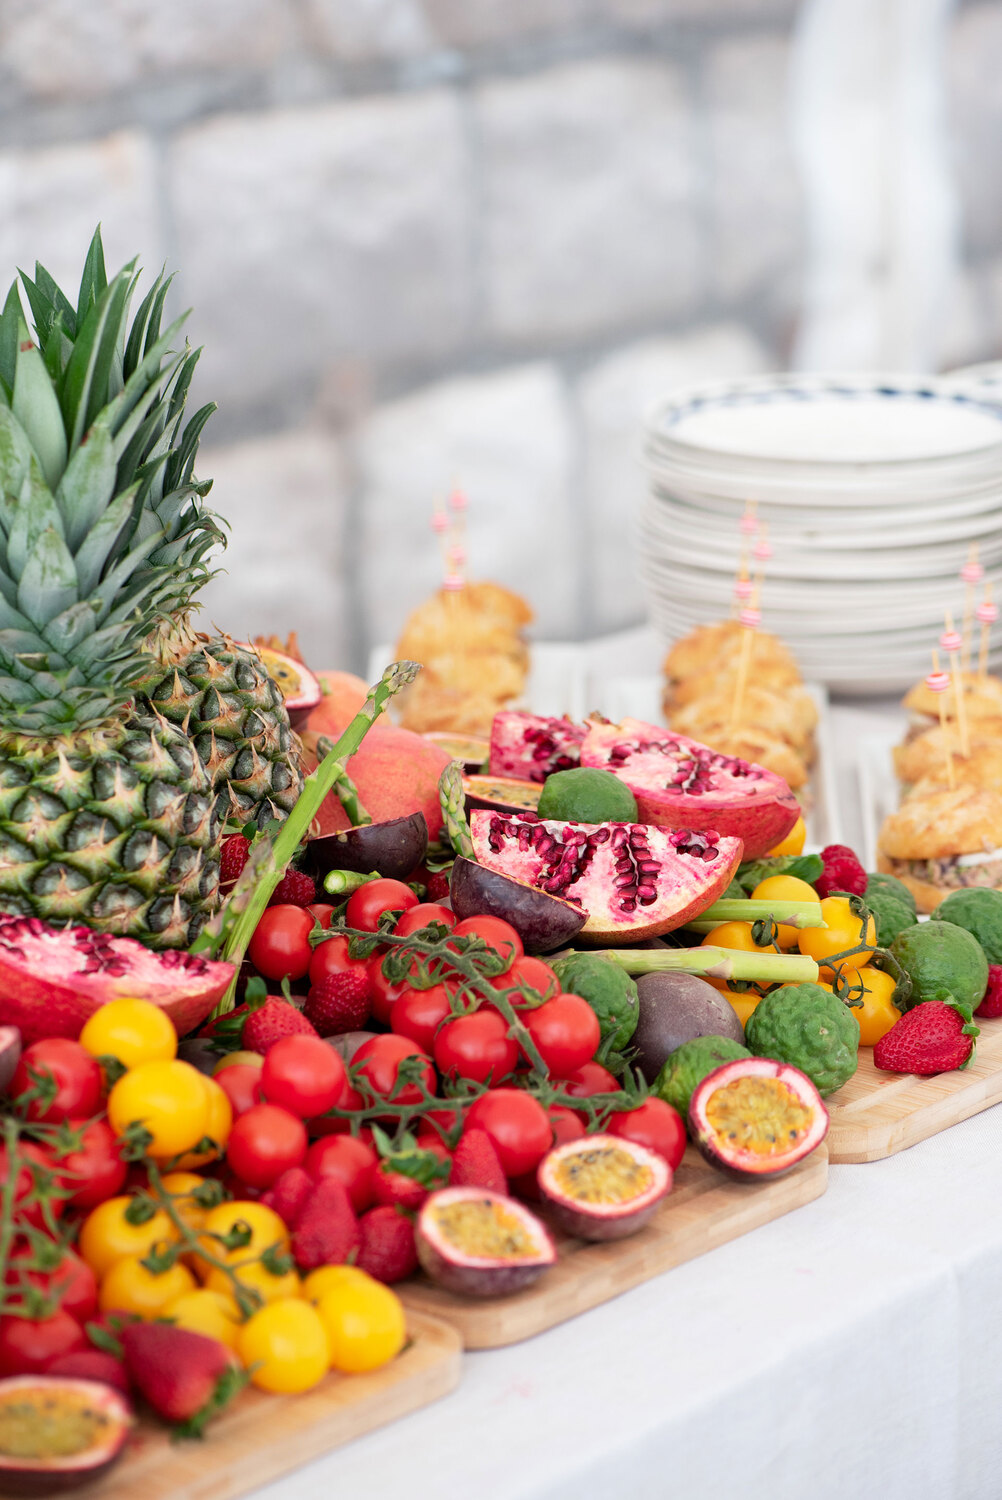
[482,1244]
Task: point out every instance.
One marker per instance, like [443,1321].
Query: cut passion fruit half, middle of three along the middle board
[604,1187]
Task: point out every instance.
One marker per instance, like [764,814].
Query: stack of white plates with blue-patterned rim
[874,491]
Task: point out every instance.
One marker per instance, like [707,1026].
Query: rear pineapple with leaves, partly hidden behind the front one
[214,689]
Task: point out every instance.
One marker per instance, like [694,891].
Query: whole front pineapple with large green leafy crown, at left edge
[107,815]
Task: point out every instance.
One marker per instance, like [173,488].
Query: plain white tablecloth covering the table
[851,1351]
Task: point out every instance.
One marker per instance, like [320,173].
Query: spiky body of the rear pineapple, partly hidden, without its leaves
[221,695]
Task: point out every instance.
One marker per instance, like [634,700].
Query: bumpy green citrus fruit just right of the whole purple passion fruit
[809,1028]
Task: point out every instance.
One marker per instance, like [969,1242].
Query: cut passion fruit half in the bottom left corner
[58,1432]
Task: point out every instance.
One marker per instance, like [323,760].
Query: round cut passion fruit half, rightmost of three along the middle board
[757,1118]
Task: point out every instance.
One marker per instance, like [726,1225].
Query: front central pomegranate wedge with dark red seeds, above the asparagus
[632,881]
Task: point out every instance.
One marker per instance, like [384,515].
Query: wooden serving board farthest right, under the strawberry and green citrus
[875,1115]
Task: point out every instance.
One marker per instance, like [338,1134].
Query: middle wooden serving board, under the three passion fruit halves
[703,1211]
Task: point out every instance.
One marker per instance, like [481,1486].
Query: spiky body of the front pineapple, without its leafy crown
[112,827]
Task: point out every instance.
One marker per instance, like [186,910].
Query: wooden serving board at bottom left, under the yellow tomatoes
[265,1436]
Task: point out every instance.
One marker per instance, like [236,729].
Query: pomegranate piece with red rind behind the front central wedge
[680,784]
